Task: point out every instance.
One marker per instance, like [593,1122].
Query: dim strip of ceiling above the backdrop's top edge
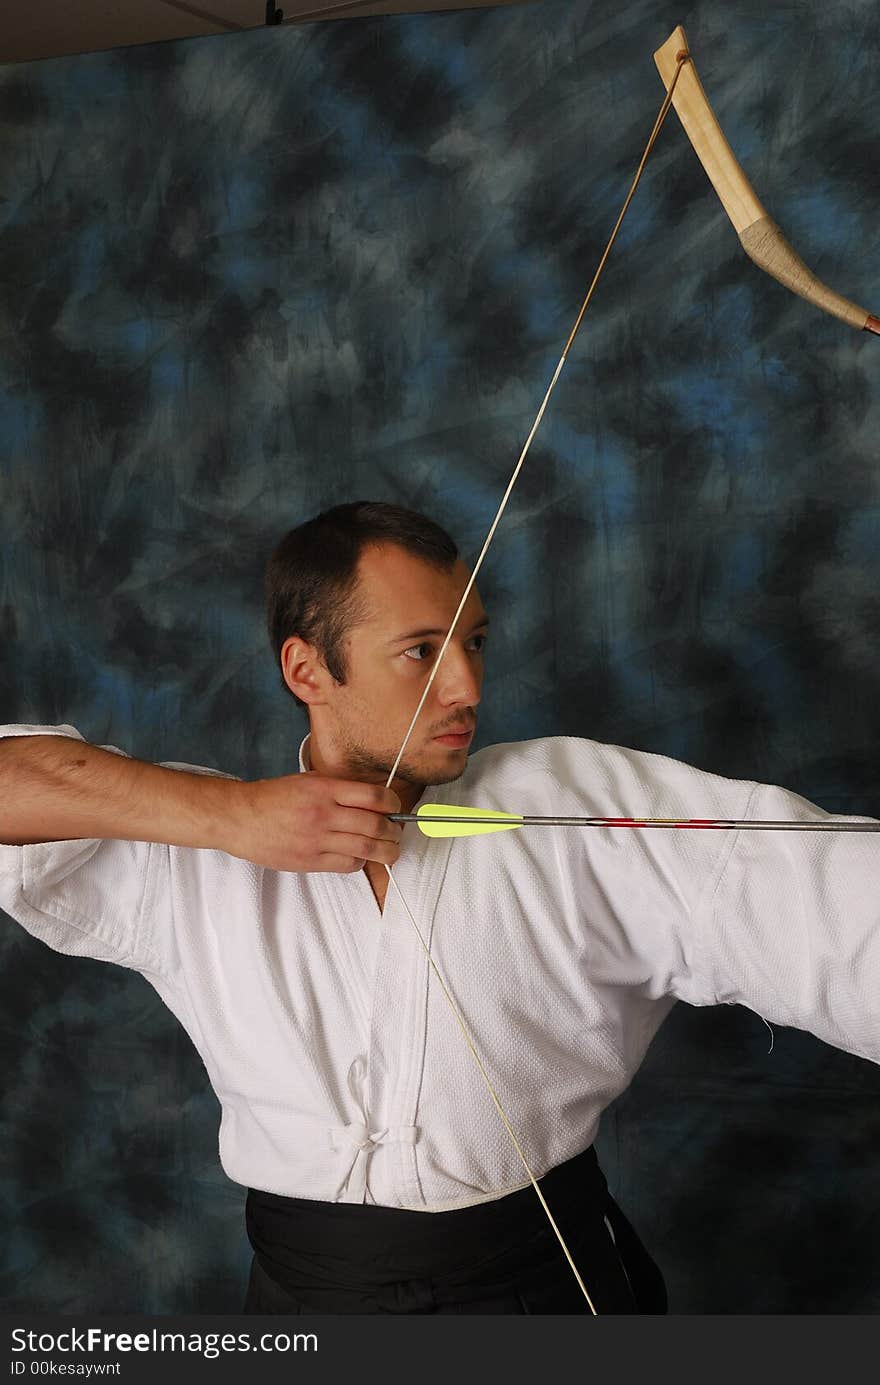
[52,28]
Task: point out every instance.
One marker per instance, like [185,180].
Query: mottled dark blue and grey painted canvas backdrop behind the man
[245,279]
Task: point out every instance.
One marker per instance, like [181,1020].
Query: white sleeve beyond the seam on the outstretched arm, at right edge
[792,926]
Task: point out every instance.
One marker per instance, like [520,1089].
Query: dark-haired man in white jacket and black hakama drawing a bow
[380,1177]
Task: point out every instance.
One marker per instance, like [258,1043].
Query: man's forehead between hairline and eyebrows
[400,587]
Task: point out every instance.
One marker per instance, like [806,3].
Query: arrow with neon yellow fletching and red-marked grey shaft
[451,821]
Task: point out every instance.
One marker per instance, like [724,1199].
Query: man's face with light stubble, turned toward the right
[391,652]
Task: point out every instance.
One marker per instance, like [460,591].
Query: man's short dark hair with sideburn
[311,578]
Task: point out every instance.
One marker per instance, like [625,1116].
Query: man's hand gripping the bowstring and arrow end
[314,823]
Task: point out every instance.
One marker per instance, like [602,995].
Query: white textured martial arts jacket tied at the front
[340,1070]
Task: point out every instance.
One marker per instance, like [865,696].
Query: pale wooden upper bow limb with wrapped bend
[759,235]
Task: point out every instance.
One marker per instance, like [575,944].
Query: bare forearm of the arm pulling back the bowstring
[58,789]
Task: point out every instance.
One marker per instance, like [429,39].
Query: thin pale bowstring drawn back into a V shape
[665,110]
